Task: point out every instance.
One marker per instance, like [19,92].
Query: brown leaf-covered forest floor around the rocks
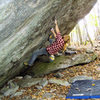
[59,92]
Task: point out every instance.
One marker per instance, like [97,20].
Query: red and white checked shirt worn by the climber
[55,46]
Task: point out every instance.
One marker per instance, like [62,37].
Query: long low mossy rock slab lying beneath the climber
[61,62]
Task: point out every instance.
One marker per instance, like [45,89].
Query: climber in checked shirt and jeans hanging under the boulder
[59,44]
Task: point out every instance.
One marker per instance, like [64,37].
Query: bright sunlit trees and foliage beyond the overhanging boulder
[81,31]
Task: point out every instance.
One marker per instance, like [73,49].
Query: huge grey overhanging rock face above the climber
[25,25]
